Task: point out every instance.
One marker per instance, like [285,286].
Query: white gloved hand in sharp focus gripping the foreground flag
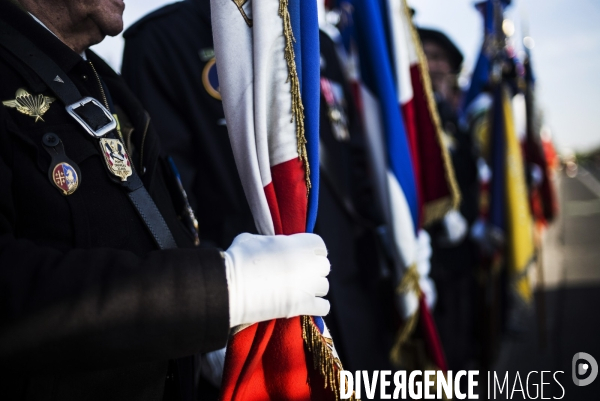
[271,277]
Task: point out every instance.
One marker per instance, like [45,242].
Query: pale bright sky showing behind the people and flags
[566,56]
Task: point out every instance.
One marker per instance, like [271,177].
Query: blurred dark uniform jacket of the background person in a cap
[453,268]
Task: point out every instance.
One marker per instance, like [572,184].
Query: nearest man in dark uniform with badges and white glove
[103,295]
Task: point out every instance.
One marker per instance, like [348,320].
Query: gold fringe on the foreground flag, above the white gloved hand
[297,106]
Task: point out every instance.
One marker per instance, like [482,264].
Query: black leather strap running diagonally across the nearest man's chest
[66,91]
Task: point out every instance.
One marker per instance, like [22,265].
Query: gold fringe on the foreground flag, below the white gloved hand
[323,359]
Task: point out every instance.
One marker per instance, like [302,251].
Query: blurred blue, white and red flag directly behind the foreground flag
[393,160]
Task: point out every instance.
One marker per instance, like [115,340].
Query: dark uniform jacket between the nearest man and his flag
[169,64]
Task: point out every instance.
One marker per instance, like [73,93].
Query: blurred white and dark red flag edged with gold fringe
[437,191]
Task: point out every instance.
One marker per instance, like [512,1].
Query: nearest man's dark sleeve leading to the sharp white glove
[78,309]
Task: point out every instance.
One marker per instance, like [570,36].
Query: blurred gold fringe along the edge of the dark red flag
[448,168]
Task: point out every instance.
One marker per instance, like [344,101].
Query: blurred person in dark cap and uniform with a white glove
[455,255]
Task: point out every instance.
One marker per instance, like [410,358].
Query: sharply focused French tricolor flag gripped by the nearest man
[268,62]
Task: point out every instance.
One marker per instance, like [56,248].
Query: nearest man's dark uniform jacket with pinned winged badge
[89,308]
